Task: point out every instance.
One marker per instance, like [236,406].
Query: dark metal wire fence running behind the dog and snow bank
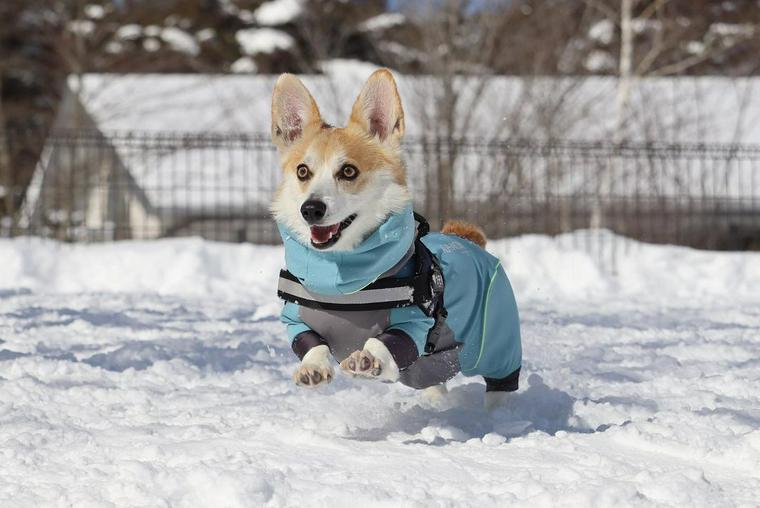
[90,186]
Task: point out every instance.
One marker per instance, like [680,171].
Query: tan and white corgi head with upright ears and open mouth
[339,184]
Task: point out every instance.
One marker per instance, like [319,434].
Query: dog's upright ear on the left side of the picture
[294,111]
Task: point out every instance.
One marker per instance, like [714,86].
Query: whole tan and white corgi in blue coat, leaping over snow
[345,215]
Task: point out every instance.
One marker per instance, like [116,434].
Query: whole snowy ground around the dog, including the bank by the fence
[157,374]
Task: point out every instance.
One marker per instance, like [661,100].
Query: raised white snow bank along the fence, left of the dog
[186,267]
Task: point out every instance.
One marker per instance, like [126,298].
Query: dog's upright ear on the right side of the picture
[378,109]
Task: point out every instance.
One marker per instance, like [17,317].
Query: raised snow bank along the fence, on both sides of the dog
[540,267]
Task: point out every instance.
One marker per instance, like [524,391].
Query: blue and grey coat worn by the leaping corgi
[482,324]
